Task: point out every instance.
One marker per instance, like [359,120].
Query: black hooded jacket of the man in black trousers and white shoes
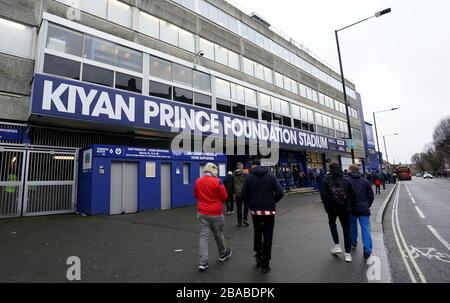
[336,175]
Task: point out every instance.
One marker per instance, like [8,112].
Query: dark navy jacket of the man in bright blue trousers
[364,195]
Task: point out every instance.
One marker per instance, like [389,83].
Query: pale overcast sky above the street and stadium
[401,59]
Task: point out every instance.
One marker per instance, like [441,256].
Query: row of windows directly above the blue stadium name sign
[273,109]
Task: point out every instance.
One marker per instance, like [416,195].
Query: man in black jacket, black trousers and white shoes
[338,197]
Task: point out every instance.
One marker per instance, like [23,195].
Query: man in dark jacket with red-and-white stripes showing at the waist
[261,191]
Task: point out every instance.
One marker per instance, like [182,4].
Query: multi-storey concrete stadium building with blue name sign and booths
[111,80]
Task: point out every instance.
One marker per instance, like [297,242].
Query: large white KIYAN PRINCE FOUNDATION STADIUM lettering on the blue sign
[80,100]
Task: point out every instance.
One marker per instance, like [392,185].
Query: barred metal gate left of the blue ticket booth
[37,181]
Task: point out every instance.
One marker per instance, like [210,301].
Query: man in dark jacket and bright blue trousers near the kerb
[361,209]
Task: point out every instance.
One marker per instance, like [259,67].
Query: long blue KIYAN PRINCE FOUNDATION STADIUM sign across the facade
[58,97]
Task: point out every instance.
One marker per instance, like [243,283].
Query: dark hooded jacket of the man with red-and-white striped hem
[261,190]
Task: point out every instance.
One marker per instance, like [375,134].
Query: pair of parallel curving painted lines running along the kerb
[396,224]
